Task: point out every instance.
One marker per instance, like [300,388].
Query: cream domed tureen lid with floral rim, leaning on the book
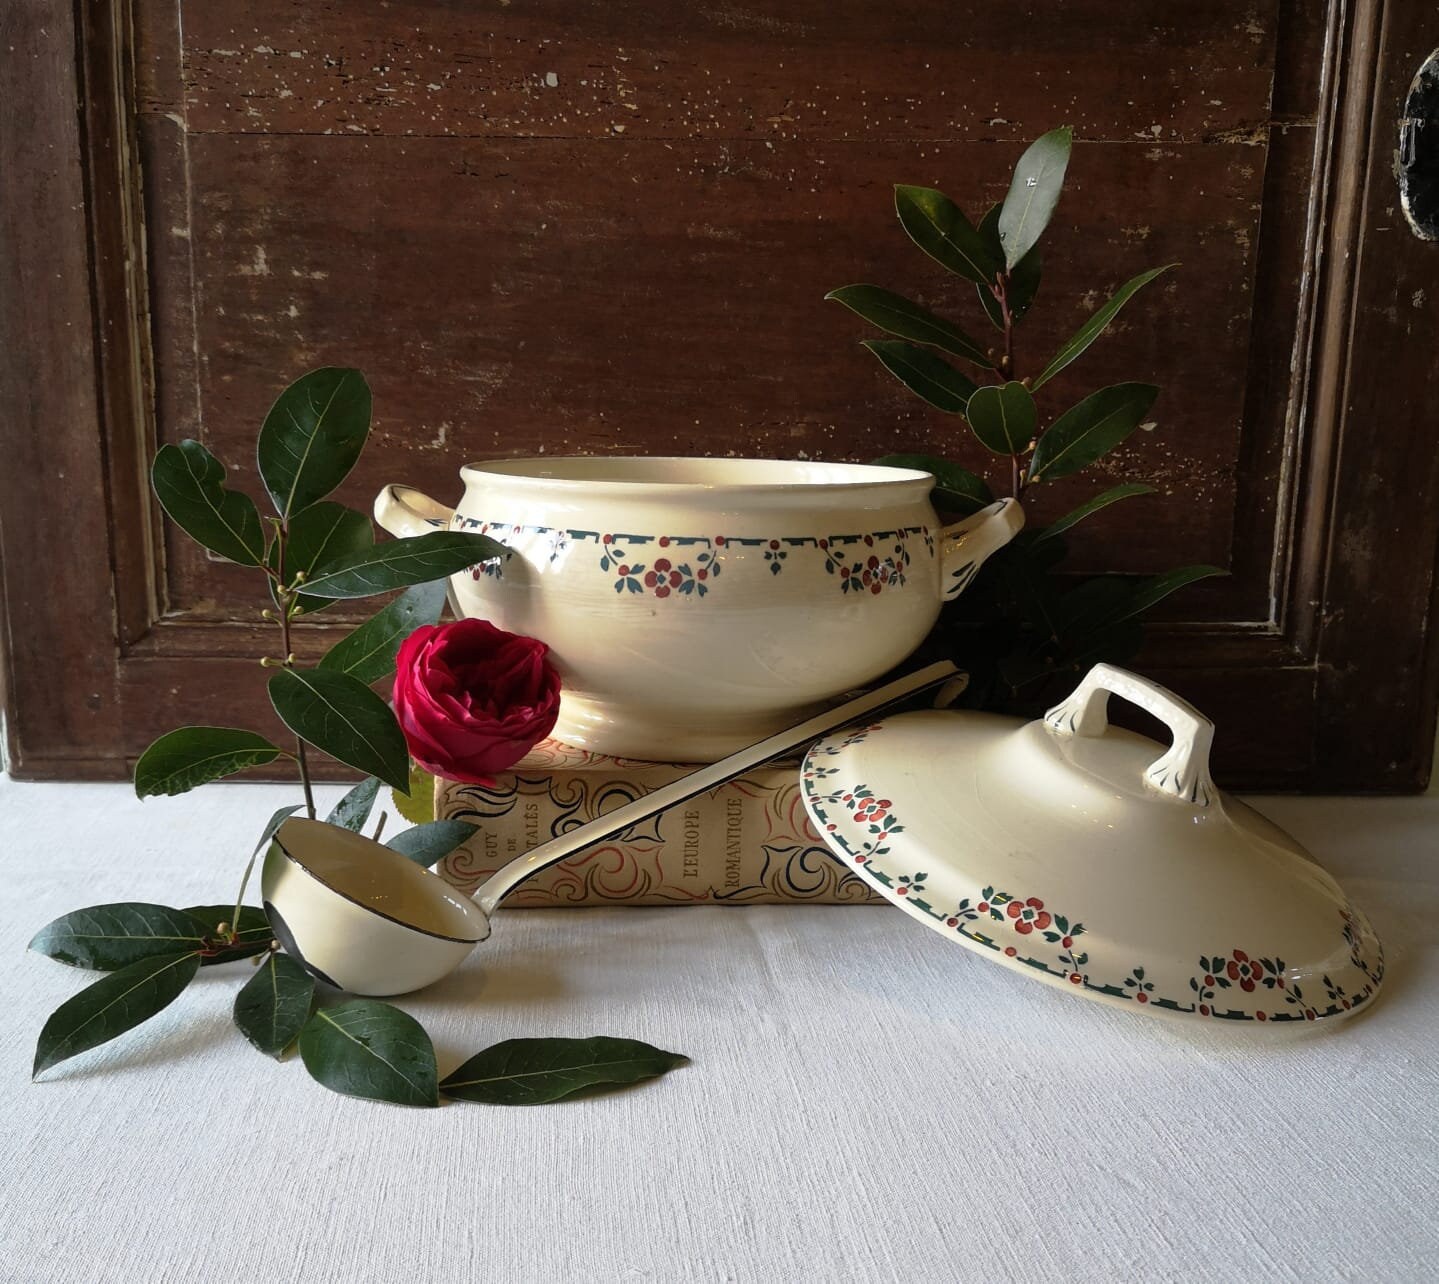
[1096,860]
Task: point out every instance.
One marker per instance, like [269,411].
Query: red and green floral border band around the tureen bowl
[687,566]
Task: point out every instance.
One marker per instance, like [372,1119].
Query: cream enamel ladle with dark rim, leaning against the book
[369,921]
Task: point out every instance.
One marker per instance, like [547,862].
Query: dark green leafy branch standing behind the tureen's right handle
[1015,630]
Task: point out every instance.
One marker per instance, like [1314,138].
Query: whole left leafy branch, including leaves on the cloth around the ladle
[313,552]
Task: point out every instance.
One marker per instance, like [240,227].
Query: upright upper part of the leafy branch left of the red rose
[314,553]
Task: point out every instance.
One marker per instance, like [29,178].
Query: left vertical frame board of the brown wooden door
[55,535]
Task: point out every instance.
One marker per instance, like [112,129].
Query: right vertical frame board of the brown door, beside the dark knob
[1378,672]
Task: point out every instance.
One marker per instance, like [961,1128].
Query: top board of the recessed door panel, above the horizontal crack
[796,70]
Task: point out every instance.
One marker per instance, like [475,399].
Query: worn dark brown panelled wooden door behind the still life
[572,227]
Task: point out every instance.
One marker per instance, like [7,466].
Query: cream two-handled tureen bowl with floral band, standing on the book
[696,607]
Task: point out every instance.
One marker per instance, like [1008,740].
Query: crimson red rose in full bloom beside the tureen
[474,700]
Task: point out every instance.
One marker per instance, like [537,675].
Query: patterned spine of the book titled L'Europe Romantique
[748,843]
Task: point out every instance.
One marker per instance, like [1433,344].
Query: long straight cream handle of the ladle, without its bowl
[507,879]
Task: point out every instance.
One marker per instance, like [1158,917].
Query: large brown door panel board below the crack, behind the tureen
[618,338]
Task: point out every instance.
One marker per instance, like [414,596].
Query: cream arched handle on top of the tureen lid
[1184,771]
